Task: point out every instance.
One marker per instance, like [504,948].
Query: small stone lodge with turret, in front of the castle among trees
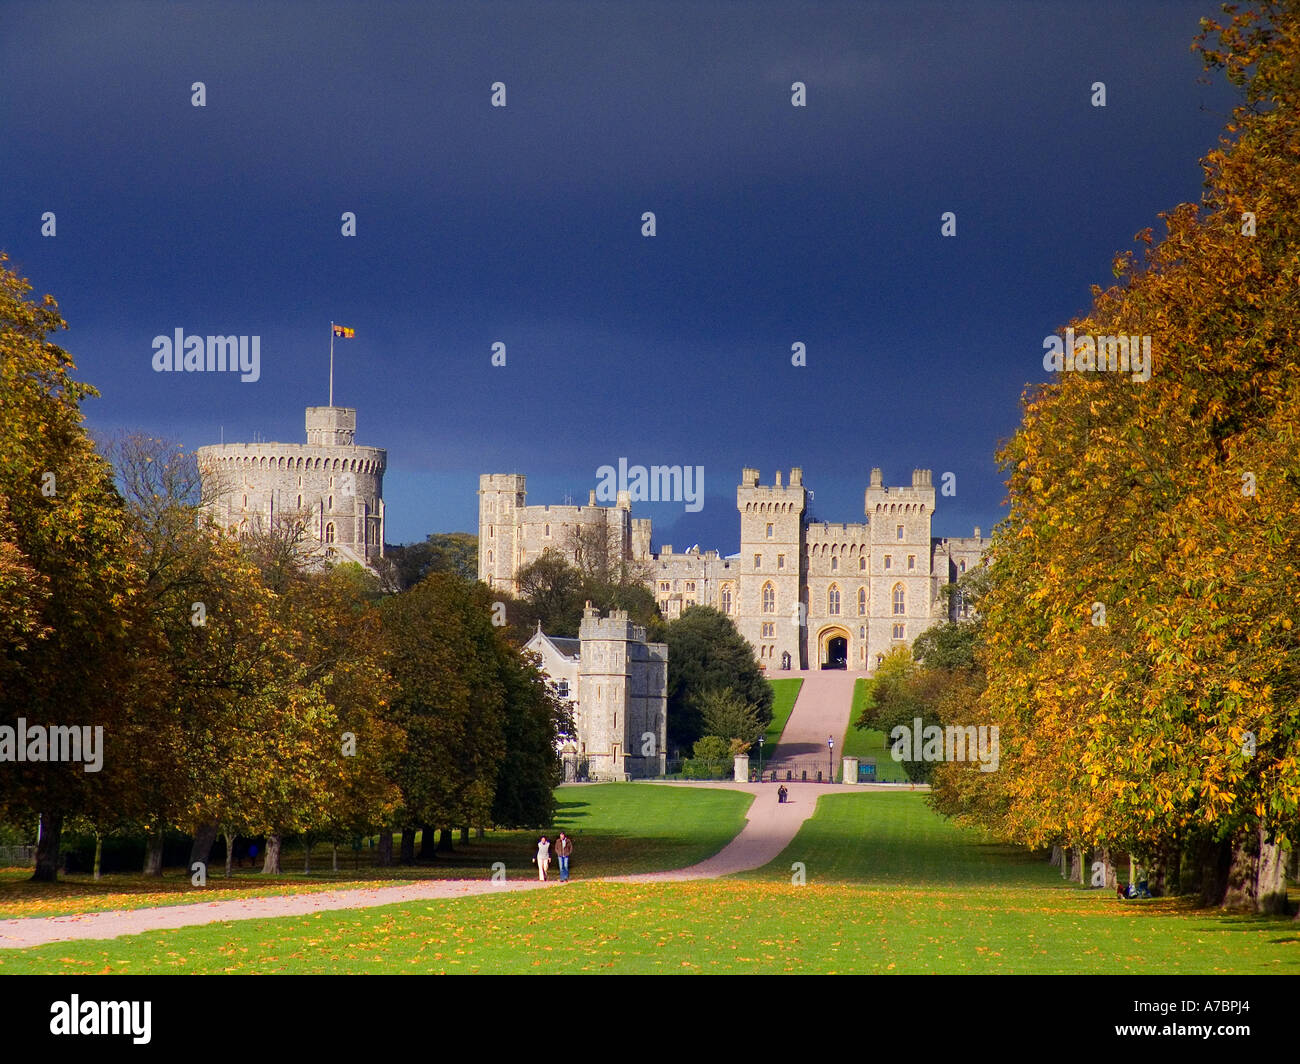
[617,684]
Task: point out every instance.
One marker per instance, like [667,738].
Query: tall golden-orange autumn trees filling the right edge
[1141,643]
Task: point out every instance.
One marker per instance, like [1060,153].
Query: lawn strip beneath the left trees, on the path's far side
[617,829]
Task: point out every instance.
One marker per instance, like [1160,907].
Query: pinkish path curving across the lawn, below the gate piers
[768,832]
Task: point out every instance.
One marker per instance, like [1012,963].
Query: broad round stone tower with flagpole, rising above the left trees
[331,486]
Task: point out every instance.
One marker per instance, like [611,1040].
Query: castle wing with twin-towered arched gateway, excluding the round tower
[805,595]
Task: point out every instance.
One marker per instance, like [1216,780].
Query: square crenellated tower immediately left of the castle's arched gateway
[773,608]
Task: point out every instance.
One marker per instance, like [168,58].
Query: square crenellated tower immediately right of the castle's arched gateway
[900,595]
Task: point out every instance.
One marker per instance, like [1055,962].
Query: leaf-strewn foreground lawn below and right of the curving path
[891,888]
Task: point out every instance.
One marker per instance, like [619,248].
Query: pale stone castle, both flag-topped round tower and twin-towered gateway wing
[804,594]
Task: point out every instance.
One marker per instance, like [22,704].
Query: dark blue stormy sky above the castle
[523,226]
